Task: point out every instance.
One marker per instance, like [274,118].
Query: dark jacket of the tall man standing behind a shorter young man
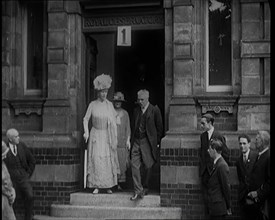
[206,162]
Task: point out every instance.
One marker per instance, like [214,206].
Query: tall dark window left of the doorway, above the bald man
[33,47]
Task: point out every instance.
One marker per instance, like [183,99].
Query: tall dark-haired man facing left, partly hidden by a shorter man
[206,162]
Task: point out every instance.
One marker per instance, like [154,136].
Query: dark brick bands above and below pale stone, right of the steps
[189,196]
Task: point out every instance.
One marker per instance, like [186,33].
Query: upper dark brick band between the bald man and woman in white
[56,156]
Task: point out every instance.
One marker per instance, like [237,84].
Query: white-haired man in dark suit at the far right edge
[259,187]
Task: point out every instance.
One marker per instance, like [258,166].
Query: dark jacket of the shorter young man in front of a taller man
[219,189]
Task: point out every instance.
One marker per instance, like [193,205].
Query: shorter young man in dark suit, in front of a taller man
[219,204]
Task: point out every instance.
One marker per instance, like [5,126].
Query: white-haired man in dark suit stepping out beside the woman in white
[147,129]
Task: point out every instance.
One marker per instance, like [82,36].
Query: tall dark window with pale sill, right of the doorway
[218,38]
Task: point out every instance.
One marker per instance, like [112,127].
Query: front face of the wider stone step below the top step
[116,213]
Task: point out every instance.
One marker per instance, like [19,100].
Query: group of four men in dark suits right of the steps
[253,170]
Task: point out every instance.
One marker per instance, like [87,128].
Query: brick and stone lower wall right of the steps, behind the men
[180,184]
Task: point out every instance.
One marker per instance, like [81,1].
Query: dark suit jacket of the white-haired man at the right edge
[260,177]
